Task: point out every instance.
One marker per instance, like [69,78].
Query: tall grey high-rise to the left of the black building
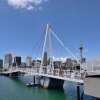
[8,60]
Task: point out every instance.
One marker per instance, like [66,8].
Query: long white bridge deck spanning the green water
[68,76]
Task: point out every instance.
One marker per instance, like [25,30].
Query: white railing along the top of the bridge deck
[56,72]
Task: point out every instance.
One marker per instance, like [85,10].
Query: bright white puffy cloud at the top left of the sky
[27,4]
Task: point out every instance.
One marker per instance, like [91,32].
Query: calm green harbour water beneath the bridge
[16,89]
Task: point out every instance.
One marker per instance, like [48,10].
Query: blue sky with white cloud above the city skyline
[23,21]
